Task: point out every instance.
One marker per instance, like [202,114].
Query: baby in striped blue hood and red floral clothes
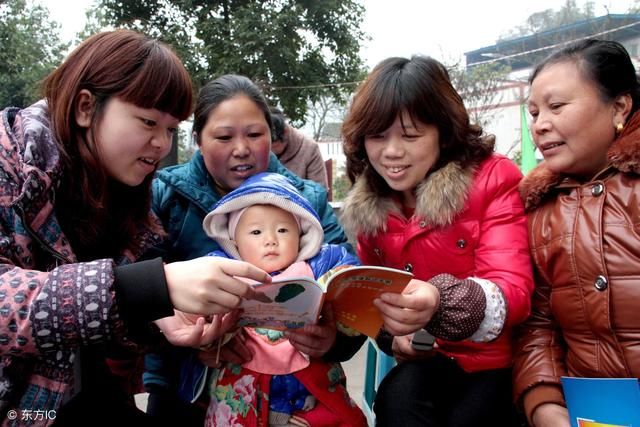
[266,222]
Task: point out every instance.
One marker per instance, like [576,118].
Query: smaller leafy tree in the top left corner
[31,48]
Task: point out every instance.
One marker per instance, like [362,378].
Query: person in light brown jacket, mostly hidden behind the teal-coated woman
[297,152]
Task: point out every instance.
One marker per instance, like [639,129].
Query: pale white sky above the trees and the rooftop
[443,29]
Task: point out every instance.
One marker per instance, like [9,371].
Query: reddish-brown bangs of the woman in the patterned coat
[161,82]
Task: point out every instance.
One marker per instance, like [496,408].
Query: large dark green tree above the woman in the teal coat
[297,50]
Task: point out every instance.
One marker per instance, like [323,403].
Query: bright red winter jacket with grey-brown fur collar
[469,223]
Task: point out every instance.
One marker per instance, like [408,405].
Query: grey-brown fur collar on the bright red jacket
[440,197]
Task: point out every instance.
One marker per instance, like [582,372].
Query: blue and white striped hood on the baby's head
[265,189]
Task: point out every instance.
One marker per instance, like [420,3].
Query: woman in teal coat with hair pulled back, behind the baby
[232,127]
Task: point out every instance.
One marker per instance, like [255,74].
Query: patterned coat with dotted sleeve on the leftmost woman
[51,305]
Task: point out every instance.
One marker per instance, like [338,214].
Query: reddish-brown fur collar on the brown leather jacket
[623,156]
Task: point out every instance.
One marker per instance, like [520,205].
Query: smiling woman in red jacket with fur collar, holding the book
[431,197]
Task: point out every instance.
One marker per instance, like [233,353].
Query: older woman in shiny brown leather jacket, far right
[583,204]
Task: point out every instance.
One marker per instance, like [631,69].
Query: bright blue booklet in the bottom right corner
[602,402]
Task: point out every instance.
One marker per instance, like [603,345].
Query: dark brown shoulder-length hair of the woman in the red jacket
[420,87]
